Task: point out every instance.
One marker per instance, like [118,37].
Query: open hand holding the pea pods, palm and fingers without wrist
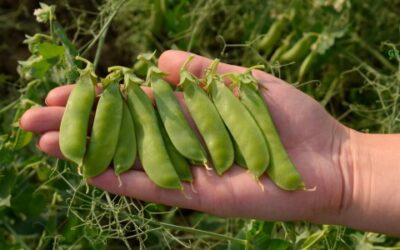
[312,138]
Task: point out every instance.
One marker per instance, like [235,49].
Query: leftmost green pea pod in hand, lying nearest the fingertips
[74,123]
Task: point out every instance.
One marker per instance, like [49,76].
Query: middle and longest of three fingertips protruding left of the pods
[42,119]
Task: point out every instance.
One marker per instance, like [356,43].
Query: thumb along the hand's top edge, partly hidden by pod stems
[172,60]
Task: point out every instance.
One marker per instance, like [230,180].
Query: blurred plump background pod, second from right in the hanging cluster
[299,49]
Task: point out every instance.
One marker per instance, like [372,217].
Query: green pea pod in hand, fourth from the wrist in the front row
[175,123]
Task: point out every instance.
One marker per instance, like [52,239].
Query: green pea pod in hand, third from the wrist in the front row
[208,121]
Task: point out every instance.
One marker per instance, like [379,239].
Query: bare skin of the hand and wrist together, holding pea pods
[351,176]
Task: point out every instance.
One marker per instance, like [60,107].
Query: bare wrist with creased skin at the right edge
[371,194]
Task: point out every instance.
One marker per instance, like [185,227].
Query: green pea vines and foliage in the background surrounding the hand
[350,67]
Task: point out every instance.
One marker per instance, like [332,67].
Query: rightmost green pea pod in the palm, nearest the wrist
[281,171]
